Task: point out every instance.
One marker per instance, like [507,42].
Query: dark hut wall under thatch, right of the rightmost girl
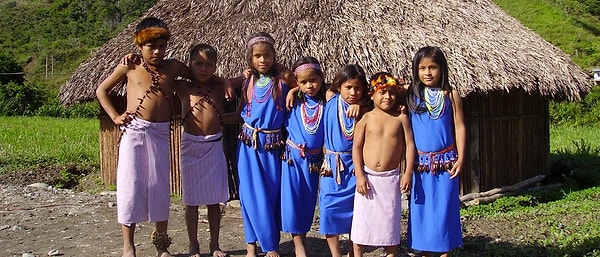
[508,139]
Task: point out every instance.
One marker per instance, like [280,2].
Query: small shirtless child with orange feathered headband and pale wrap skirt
[379,140]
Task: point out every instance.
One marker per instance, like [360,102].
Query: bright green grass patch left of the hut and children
[29,142]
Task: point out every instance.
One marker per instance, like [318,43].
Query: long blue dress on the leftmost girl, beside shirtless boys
[259,164]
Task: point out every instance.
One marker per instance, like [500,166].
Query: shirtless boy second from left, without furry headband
[203,164]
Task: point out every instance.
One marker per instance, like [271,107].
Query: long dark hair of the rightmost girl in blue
[415,90]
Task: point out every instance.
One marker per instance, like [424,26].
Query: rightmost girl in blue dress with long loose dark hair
[439,131]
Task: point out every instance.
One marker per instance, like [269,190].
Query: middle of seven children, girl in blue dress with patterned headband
[304,153]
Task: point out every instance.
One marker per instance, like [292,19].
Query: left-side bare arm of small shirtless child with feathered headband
[362,185]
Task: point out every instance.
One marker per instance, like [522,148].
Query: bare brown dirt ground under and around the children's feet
[40,219]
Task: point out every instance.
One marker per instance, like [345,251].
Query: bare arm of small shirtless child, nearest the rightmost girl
[410,154]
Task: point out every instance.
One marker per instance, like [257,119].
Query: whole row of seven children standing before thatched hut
[302,143]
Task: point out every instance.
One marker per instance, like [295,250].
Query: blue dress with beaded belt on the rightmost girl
[434,221]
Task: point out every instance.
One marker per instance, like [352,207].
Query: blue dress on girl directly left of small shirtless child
[336,197]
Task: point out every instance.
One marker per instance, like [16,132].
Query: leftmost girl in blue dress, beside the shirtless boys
[261,144]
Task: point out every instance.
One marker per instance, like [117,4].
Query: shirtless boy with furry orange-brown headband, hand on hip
[143,165]
